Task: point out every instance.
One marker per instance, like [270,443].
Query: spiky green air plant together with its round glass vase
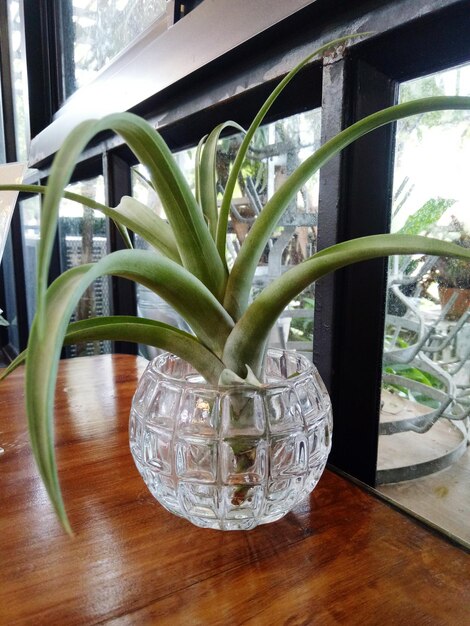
[223,433]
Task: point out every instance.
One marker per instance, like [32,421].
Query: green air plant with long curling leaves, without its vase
[186,264]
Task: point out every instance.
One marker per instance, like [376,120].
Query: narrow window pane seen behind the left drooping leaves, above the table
[84,239]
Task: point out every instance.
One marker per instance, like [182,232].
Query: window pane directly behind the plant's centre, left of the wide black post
[277,149]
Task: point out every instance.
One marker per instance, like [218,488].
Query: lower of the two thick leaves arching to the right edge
[246,342]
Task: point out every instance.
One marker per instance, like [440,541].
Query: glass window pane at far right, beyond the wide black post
[426,380]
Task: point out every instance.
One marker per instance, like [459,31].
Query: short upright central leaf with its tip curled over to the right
[208,178]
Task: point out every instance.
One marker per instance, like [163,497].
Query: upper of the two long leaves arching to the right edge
[241,276]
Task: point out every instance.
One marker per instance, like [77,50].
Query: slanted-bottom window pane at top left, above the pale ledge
[93,32]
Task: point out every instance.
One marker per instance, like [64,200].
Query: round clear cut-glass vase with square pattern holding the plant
[231,458]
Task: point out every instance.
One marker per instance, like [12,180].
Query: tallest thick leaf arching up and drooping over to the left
[195,245]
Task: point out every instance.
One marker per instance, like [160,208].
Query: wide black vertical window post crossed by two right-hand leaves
[359,299]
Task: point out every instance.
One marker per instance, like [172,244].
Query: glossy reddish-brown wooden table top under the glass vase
[342,557]
